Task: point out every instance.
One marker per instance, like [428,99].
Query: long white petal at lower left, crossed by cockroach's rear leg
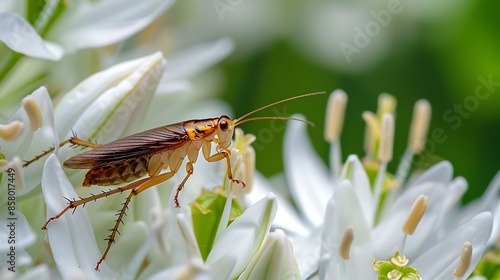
[71,237]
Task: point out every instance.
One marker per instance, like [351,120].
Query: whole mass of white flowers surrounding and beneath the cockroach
[355,220]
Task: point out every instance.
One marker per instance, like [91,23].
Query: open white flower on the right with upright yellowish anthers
[347,197]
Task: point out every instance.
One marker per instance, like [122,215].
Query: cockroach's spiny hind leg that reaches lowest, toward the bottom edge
[138,188]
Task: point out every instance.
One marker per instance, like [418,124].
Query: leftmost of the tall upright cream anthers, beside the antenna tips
[335,115]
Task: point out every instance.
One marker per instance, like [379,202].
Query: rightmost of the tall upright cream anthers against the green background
[419,125]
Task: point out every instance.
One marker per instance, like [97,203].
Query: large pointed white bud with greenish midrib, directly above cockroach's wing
[111,103]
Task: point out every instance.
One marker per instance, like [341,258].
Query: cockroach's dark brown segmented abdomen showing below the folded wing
[118,173]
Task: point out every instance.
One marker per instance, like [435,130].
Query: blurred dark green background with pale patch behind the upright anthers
[428,50]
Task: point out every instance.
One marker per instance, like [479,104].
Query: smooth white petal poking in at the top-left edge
[21,37]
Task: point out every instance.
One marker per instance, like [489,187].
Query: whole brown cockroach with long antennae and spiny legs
[131,158]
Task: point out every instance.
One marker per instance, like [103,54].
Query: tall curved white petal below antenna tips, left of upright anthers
[306,174]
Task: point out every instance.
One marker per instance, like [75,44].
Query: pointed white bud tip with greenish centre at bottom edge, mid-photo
[274,260]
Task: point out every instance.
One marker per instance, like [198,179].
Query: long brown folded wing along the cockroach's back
[137,145]
